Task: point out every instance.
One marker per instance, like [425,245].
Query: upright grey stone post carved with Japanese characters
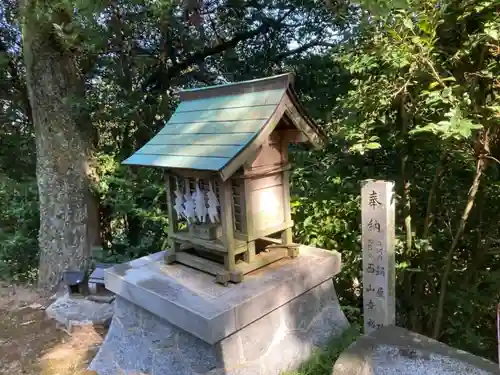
[378,237]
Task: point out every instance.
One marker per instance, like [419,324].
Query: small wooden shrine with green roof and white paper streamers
[225,155]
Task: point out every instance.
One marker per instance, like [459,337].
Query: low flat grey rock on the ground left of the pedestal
[79,311]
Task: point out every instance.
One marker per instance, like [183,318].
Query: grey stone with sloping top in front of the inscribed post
[395,351]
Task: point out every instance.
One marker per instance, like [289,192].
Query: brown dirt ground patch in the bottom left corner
[30,343]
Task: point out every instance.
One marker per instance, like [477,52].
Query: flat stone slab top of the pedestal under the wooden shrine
[191,300]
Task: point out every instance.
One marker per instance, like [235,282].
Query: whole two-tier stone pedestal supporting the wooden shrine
[176,320]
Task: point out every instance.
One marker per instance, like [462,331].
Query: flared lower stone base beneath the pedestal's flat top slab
[139,342]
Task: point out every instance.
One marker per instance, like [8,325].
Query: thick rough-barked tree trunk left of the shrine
[68,212]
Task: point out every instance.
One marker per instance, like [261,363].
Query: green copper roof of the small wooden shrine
[211,126]
